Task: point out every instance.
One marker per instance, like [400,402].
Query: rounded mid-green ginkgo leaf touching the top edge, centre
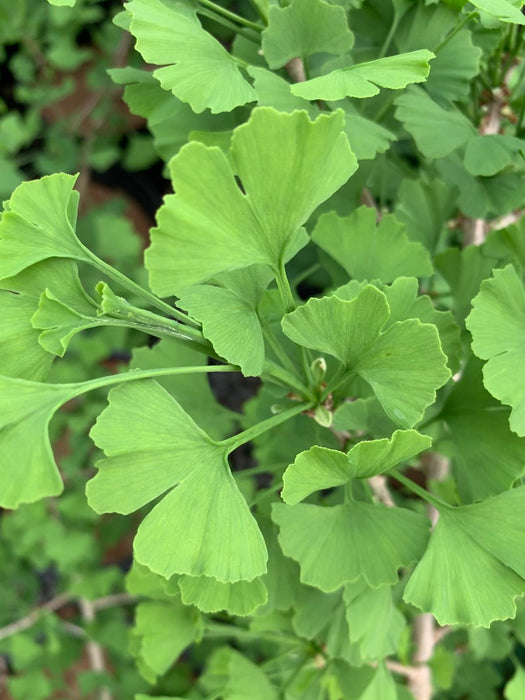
[304,28]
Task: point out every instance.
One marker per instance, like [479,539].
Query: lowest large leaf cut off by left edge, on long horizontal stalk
[29,471]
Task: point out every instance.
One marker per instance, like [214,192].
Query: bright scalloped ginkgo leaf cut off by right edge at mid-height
[497,326]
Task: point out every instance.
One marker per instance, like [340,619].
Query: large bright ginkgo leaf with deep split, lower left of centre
[152,446]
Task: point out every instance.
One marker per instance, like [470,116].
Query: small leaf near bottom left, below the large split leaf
[164,630]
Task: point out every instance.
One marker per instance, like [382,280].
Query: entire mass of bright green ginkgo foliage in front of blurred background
[343,223]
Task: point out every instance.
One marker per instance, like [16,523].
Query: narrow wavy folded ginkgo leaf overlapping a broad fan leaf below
[322,468]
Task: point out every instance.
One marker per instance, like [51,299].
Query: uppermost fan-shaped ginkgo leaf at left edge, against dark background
[39,223]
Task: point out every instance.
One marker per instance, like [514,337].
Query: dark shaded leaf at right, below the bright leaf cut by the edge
[482,467]
